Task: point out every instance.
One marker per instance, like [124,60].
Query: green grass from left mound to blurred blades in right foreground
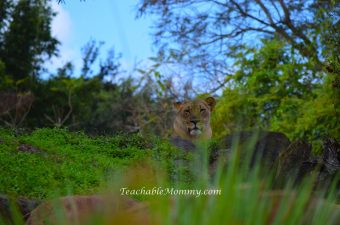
[106,164]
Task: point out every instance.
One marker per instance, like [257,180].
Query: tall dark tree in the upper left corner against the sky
[26,39]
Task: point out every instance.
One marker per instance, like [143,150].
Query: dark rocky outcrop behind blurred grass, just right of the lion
[290,162]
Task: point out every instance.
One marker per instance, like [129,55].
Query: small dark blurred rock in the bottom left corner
[23,205]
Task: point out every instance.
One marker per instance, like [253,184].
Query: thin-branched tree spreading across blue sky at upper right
[206,35]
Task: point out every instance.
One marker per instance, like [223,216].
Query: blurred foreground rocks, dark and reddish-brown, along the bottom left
[74,210]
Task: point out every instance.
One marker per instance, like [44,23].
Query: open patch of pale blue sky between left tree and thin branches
[111,21]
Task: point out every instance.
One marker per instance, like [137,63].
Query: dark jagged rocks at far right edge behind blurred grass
[297,163]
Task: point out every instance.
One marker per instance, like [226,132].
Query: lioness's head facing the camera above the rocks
[192,121]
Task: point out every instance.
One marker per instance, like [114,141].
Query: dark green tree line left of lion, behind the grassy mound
[95,99]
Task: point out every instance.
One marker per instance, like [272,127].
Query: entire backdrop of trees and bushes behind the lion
[272,83]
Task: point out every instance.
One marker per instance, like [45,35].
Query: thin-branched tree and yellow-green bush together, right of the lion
[277,70]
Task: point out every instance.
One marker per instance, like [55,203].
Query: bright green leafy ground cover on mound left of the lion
[72,162]
